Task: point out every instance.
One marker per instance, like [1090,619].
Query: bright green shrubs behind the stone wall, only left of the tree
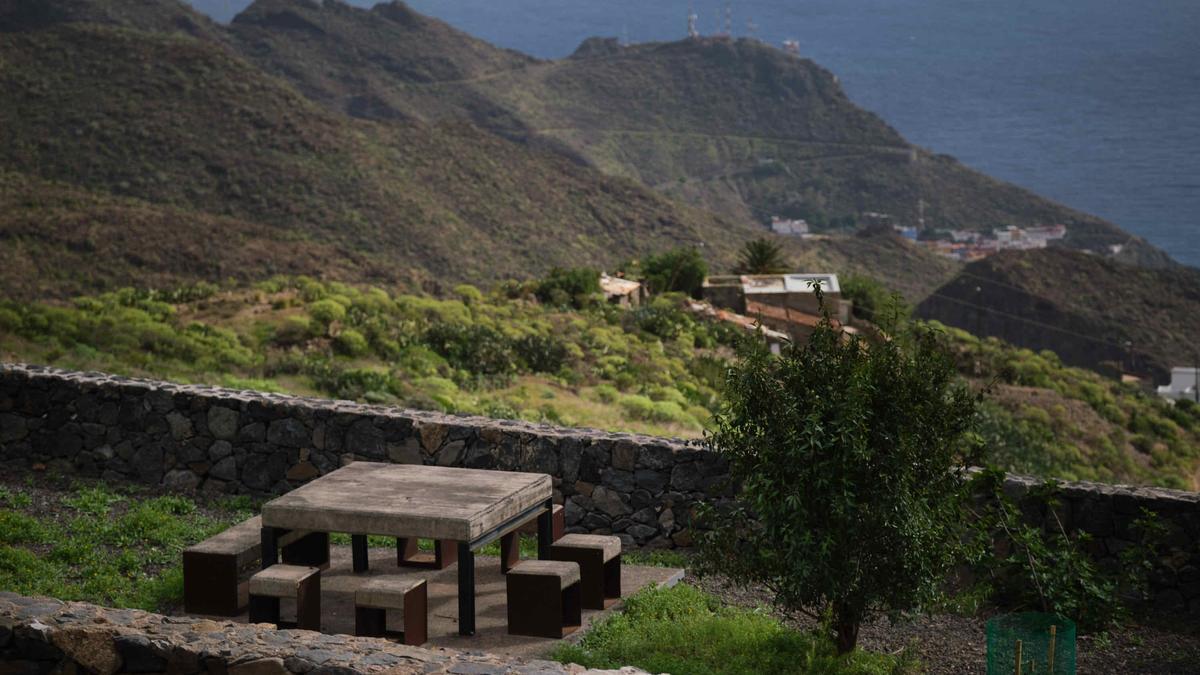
[549,350]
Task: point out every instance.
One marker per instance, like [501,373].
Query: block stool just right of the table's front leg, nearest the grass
[544,599]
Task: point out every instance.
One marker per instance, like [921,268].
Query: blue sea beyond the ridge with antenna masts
[1094,104]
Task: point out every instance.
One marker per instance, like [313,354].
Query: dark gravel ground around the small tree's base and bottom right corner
[952,644]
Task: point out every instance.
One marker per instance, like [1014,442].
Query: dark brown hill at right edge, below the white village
[1091,312]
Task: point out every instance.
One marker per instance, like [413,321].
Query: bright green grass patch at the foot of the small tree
[683,630]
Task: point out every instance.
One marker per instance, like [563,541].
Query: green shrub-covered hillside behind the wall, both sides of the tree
[505,355]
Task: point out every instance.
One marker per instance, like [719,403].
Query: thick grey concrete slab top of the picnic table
[406,500]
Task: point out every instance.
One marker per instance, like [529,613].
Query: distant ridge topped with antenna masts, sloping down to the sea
[736,127]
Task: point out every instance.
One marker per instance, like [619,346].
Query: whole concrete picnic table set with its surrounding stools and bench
[460,510]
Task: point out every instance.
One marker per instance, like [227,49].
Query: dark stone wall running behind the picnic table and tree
[638,487]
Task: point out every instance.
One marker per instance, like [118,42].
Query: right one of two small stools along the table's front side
[377,596]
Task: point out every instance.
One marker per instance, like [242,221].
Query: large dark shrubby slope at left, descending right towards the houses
[187,128]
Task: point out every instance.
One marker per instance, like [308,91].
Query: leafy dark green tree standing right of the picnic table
[849,463]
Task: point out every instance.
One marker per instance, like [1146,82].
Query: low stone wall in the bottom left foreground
[49,636]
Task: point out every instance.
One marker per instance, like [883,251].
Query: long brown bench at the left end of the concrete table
[215,571]
